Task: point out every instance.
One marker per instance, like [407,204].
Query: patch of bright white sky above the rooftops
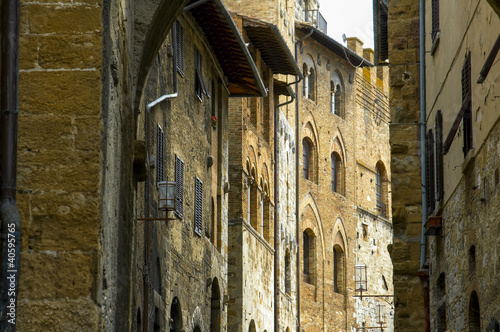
[352,17]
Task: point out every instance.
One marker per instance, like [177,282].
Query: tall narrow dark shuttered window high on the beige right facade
[467,102]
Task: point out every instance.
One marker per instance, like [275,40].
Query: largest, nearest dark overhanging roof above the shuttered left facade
[228,47]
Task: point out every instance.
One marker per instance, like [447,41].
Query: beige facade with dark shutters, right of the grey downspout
[462,141]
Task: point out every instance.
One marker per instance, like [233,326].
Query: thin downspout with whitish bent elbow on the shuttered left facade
[150,106]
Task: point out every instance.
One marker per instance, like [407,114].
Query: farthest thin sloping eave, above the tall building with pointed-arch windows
[333,45]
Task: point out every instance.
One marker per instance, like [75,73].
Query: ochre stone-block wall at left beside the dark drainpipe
[60,164]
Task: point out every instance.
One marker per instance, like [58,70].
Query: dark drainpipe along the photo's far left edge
[9,213]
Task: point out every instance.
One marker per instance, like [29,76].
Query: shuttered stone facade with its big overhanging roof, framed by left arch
[186,134]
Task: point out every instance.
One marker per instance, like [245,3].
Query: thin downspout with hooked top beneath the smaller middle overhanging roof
[276,210]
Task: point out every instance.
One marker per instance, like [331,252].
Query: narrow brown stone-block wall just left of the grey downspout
[403,23]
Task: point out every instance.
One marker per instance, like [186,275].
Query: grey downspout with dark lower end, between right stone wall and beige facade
[423,272]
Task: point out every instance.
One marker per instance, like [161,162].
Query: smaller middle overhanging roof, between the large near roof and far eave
[268,40]
